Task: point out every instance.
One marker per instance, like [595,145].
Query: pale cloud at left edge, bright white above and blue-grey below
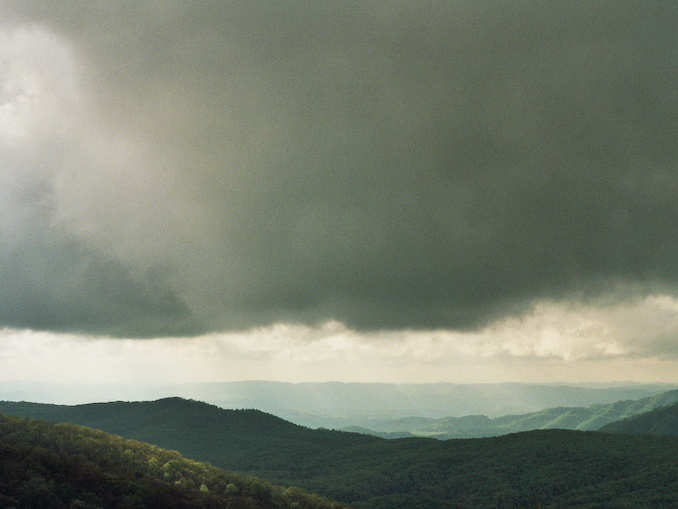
[53,276]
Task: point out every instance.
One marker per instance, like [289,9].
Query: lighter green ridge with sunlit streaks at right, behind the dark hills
[575,418]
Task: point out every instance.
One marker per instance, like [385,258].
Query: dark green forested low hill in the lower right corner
[551,468]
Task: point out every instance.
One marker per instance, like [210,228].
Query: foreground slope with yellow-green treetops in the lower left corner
[53,466]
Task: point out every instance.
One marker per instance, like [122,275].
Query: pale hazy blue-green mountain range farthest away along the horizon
[337,405]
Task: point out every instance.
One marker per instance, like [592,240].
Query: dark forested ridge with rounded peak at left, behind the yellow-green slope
[199,430]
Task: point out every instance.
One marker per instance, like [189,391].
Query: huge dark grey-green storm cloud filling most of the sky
[385,164]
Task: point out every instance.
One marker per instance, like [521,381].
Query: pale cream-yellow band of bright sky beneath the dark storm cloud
[555,343]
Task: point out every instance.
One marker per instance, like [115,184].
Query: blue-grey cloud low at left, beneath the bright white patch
[50,282]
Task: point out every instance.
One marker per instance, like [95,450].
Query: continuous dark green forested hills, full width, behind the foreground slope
[549,468]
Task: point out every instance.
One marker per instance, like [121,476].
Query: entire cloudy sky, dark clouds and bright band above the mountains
[458,191]
